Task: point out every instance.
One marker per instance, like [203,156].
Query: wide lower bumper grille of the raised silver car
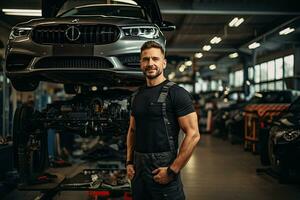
[73,62]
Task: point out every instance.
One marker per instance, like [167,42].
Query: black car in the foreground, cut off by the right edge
[284,143]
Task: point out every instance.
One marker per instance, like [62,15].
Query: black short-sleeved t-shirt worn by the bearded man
[150,129]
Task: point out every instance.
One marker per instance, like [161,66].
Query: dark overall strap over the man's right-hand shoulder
[163,99]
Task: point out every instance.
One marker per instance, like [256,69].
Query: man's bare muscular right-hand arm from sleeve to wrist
[189,125]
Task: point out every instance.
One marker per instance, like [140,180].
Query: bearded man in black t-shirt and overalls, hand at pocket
[159,111]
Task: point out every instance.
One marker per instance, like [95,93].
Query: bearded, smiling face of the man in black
[152,63]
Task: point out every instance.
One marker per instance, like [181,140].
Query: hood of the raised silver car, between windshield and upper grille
[119,21]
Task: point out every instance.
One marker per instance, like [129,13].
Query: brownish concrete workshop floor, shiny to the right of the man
[217,170]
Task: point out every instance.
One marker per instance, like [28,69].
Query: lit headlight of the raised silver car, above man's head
[146,32]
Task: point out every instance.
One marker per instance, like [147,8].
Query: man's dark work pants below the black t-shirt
[143,185]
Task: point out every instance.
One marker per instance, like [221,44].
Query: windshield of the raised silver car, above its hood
[106,10]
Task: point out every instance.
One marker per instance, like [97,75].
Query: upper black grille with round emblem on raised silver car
[76,34]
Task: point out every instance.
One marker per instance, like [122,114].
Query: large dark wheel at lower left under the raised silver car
[30,147]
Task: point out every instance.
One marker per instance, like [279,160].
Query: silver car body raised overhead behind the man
[96,44]
